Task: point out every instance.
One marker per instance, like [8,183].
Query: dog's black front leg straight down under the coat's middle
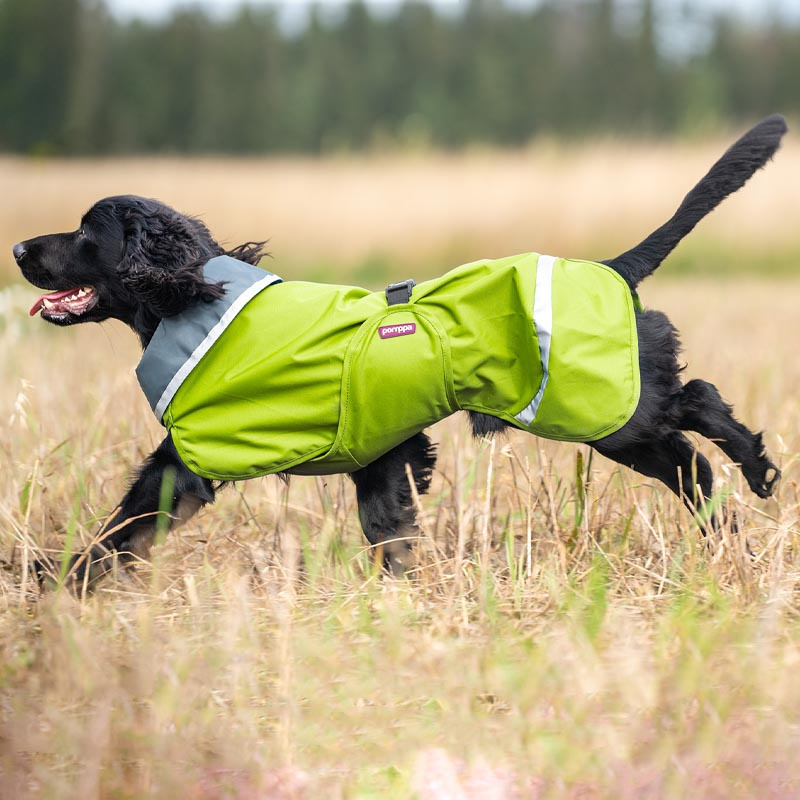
[385,501]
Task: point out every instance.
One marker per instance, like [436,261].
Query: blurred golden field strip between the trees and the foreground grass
[365,217]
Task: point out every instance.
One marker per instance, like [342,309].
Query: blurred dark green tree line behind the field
[76,80]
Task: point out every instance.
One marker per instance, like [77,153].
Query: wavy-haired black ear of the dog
[163,258]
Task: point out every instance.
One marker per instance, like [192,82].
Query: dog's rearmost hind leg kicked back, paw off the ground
[700,408]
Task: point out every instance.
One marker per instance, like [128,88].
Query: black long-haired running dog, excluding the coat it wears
[139,261]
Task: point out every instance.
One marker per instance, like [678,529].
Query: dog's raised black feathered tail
[730,173]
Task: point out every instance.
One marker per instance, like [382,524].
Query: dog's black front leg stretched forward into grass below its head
[130,532]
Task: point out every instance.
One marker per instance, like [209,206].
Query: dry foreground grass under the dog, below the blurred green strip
[568,634]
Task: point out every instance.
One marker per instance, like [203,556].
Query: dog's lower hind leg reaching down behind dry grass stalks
[675,462]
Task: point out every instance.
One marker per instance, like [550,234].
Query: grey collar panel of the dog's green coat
[178,337]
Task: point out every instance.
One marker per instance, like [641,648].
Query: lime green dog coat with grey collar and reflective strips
[317,379]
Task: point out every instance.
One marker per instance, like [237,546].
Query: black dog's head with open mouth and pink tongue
[131,258]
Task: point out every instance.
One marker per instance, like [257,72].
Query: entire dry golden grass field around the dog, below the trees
[568,634]
